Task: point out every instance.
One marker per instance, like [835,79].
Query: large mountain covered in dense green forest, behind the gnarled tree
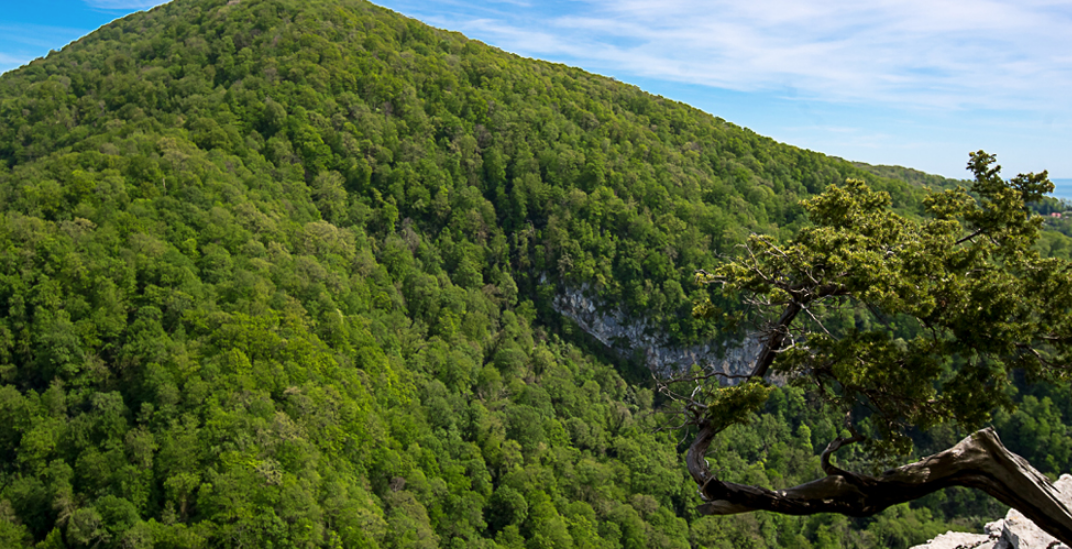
[279,274]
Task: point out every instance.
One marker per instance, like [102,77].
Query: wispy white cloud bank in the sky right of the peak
[932,54]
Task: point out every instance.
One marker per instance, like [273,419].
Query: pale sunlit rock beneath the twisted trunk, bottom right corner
[1013,532]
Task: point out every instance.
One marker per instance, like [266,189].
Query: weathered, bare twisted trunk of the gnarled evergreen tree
[979,462]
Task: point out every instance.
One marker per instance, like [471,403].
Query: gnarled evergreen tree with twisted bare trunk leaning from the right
[901,323]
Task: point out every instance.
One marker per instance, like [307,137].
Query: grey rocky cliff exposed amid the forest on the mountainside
[627,336]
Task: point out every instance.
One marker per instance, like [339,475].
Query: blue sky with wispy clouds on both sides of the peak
[917,83]
